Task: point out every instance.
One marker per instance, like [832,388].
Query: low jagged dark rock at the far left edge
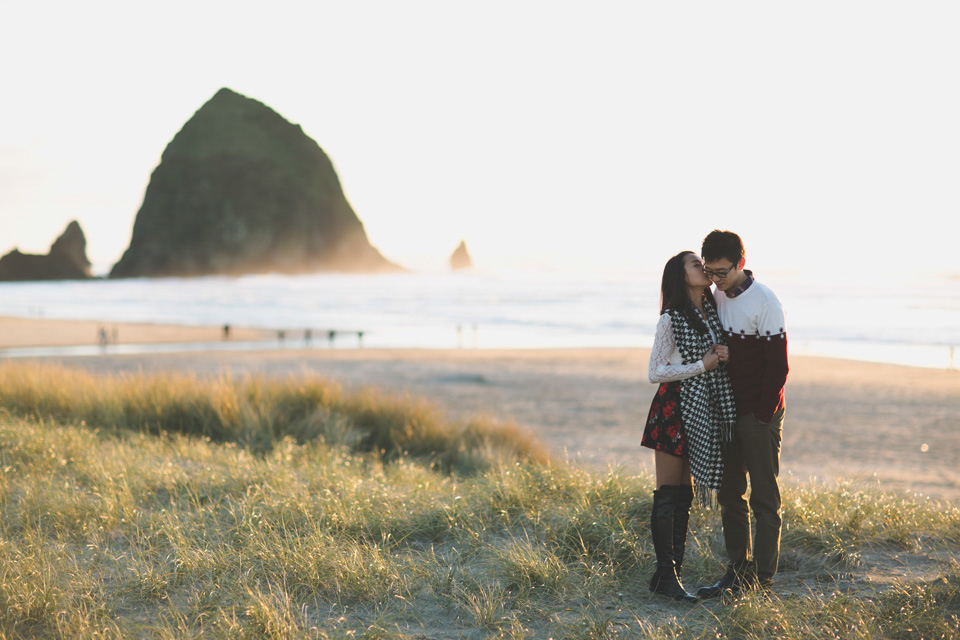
[67,260]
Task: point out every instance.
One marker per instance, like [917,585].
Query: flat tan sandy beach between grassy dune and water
[885,425]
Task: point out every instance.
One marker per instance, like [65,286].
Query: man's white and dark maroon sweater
[758,349]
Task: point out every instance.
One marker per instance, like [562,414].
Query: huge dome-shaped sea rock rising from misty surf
[241,190]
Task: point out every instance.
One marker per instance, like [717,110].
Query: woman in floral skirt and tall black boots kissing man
[691,414]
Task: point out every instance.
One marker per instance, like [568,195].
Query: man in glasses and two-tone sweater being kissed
[753,320]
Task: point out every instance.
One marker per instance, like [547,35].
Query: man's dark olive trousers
[755,455]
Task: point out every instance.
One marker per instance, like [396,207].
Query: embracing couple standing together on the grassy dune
[715,421]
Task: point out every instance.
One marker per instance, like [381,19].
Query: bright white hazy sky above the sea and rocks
[558,136]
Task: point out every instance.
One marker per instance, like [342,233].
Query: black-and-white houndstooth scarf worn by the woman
[707,405]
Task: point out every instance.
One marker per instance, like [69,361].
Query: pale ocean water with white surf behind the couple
[914,320]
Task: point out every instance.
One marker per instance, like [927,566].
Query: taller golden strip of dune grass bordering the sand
[256,413]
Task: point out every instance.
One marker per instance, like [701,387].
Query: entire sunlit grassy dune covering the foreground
[182,507]
